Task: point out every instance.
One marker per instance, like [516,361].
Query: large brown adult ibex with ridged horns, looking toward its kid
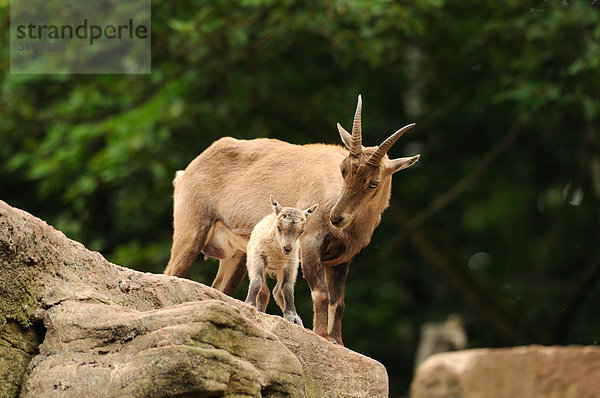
[223,193]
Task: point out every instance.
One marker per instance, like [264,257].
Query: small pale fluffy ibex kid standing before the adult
[274,249]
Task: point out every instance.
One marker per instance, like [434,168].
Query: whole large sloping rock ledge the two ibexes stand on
[74,325]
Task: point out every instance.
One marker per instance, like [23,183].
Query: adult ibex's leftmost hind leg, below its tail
[189,236]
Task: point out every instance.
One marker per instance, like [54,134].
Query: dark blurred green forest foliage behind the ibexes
[498,222]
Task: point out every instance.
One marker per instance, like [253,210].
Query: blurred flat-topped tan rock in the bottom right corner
[529,371]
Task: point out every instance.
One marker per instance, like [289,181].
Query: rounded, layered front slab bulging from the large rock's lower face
[192,349]
